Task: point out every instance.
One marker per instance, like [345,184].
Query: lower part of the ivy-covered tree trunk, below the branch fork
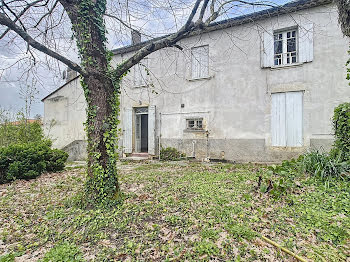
[101,127]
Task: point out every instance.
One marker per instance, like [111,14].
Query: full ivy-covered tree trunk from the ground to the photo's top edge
[101,89]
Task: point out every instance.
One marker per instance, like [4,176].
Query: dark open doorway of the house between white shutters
[141,127]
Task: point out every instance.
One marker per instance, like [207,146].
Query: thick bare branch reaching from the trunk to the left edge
[4,20]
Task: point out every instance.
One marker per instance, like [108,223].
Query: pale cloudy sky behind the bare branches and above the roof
[45,74]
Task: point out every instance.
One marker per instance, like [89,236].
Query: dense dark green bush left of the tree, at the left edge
[29,160]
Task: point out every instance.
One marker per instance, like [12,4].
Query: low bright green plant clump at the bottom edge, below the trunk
[63,252]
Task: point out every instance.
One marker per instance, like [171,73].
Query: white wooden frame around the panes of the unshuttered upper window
[285,55]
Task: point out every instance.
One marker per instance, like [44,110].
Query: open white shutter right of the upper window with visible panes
[306,43]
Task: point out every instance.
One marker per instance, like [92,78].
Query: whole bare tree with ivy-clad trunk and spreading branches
[100,82]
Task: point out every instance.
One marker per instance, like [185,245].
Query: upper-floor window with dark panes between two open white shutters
[285,47]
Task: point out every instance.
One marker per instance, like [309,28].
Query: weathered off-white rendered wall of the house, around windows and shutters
[235,101]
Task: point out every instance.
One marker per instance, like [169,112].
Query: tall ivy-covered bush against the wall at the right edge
[341,126]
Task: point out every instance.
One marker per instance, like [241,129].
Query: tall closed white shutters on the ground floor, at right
[287,119]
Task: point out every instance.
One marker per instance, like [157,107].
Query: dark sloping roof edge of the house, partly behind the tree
[235,21]
